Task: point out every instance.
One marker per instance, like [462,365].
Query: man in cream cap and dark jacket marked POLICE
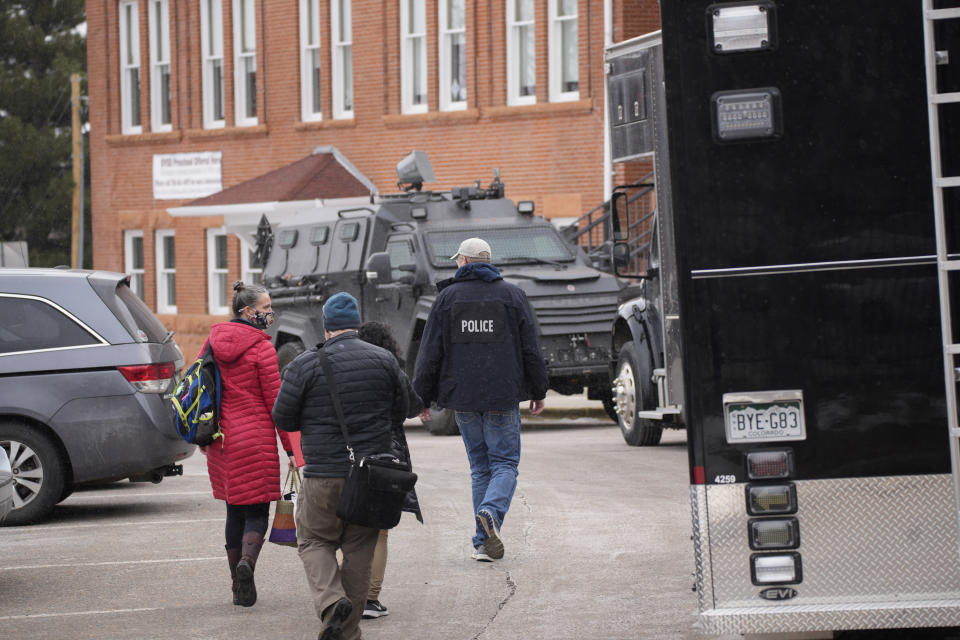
[480,356]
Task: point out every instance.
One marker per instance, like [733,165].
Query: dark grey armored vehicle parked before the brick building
[389,254]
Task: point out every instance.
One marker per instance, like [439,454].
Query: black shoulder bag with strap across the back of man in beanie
[375,489]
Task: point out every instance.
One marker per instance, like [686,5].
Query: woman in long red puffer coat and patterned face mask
[244,465]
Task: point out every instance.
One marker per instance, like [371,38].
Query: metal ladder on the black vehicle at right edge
[944,264]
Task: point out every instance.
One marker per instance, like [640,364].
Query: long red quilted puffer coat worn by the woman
[245,467]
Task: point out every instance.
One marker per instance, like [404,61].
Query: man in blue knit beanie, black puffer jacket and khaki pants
[373,397]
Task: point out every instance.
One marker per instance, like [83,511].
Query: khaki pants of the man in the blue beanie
[319,534]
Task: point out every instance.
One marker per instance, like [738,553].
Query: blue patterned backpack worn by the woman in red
[196,401]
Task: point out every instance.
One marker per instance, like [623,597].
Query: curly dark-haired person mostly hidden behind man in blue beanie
[379,334]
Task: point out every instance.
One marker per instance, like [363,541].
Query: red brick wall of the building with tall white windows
[549,152]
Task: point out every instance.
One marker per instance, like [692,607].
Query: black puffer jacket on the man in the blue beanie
[371,390]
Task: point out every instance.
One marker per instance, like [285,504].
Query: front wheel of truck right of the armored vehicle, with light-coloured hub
[633,391]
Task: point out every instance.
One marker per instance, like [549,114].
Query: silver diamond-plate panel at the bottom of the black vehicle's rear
[877,553]
